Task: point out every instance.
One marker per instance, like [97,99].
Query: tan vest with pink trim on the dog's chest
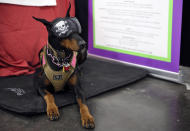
[58,78]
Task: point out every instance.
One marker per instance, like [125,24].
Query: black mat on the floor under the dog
[18,94]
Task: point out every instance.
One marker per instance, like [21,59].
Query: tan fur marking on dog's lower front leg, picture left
[52,109]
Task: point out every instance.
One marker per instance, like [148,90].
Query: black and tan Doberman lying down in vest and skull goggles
[60,60]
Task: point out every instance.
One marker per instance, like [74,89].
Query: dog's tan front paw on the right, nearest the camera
[88,121]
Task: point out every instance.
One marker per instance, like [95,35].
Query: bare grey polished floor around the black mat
[148,105]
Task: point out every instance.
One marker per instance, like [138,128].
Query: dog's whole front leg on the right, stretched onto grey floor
[86,118]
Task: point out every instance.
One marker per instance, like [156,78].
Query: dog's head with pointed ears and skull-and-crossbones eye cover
[64,32]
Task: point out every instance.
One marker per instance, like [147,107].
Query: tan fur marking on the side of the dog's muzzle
[70,44]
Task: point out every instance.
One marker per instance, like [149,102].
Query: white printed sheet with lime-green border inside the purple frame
[136,27]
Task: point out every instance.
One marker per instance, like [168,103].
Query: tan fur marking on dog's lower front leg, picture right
[86,118]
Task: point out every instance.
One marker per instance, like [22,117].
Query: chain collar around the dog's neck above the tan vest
[57,57]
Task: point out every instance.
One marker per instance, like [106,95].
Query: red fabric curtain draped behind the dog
[21,37]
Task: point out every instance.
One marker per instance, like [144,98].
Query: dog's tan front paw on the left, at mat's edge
[52,112]
